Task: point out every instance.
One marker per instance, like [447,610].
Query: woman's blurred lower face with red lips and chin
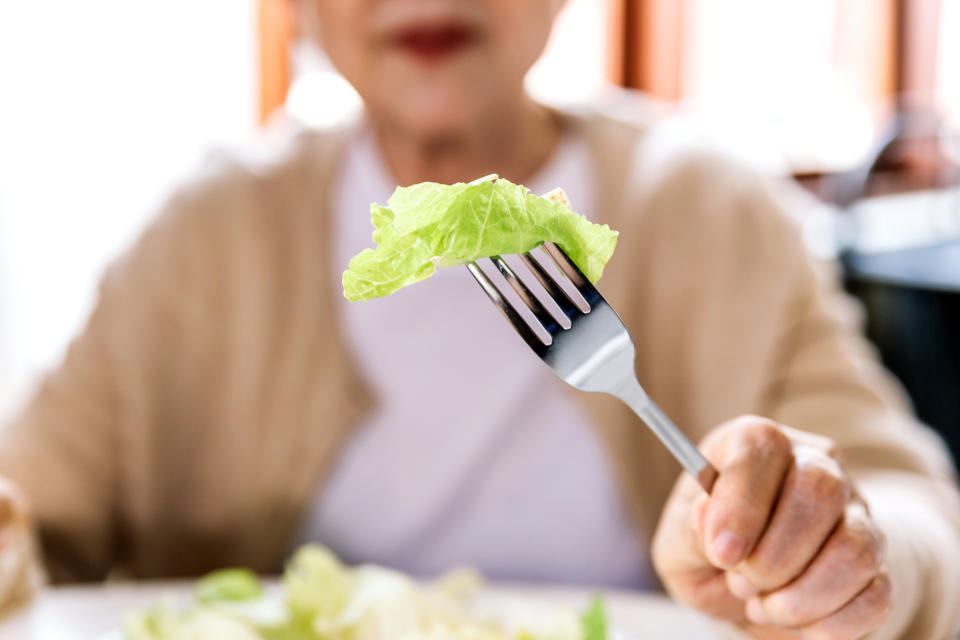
[436,67]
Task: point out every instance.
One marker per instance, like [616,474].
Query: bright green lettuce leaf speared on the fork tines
[430,225]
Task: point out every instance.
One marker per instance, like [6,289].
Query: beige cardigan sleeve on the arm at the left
[64,449]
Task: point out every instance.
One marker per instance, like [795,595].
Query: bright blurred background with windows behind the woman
[856,100]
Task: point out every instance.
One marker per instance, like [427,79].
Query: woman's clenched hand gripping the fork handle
[783,546]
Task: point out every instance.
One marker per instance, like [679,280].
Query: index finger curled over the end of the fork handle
[755,461]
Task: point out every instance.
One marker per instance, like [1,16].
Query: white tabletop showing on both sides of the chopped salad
[86,613]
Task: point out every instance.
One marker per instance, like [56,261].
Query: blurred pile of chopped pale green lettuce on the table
[327,601]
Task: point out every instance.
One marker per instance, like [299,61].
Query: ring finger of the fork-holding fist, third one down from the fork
[850,559]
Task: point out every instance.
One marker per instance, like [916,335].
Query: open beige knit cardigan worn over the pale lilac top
[201,408]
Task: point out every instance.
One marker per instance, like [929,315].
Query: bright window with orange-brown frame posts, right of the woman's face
[798,87]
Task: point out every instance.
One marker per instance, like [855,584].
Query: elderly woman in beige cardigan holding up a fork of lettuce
[224,403]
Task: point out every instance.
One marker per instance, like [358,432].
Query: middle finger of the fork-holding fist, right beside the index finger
[808,509]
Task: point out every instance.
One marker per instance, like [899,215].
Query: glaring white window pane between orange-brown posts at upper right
[786,82]
